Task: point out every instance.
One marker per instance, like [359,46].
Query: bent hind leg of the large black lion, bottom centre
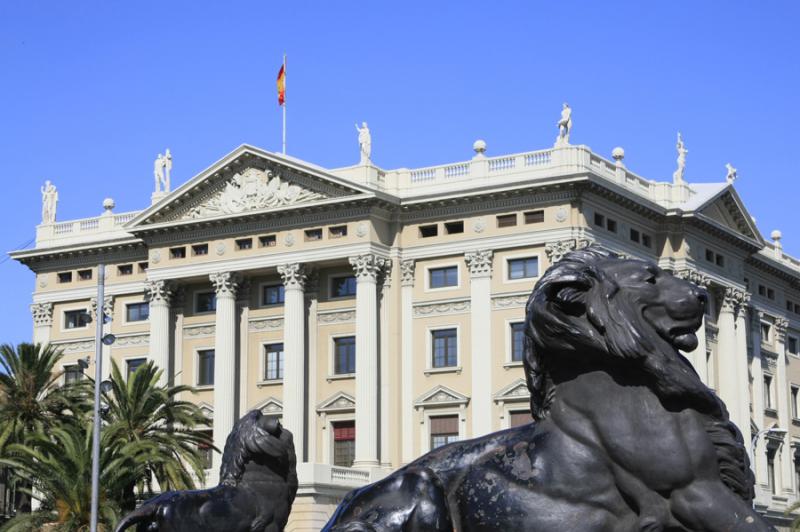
[411,500]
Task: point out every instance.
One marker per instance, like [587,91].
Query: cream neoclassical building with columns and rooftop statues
[378,312]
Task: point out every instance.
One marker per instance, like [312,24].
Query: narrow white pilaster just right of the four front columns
[407,361]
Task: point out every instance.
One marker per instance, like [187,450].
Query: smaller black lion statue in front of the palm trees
[258,483]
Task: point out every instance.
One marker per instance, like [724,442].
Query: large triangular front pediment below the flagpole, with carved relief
[247,181]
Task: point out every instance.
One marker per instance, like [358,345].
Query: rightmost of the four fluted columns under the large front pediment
[366,267]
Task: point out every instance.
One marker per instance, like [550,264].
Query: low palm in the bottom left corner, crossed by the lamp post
[60,462]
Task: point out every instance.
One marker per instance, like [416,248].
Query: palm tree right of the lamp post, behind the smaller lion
[142,411]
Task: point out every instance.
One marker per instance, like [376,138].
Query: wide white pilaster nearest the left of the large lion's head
[480,267]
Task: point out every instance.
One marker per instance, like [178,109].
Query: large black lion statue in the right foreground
[625,435]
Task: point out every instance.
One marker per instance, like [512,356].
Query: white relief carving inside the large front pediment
[250,190]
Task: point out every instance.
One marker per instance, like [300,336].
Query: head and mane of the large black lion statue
[594,310]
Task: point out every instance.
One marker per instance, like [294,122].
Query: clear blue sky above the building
[91,91]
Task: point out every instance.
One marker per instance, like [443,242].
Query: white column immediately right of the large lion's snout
[729,389]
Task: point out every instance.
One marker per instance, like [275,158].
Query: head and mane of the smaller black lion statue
[259,438]
